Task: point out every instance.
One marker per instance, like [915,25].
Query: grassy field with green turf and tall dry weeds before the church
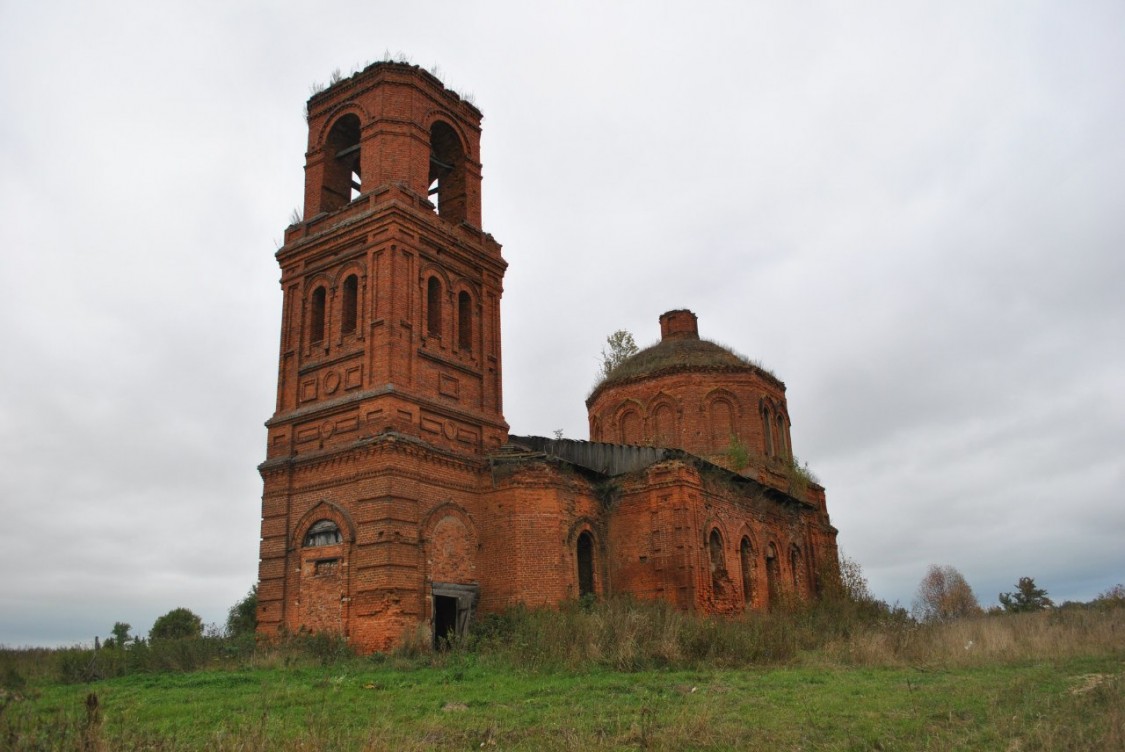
[614,676]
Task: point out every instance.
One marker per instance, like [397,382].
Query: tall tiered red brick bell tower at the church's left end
[390,370]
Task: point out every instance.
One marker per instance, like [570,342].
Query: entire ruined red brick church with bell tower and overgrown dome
[395,499]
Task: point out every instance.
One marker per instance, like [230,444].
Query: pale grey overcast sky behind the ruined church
[913,213]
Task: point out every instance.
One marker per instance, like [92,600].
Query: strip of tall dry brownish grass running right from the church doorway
[631,635]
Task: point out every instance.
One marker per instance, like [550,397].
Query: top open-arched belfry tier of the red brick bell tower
[394,124]
